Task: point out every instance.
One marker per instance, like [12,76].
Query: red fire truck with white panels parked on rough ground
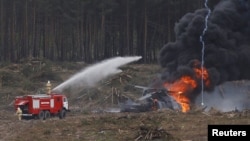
[42,106]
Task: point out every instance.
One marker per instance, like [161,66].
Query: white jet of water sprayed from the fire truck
[89,76]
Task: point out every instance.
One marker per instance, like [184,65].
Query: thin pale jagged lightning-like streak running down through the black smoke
[203,49]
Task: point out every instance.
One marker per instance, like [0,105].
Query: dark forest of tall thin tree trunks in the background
[88,30]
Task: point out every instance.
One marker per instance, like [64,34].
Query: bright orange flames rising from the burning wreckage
[186,84]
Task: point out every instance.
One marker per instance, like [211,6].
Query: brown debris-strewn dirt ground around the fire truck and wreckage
[88,120]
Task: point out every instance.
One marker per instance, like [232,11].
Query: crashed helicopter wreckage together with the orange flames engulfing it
[178,94]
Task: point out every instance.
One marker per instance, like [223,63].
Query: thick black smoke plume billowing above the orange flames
[227,44]
